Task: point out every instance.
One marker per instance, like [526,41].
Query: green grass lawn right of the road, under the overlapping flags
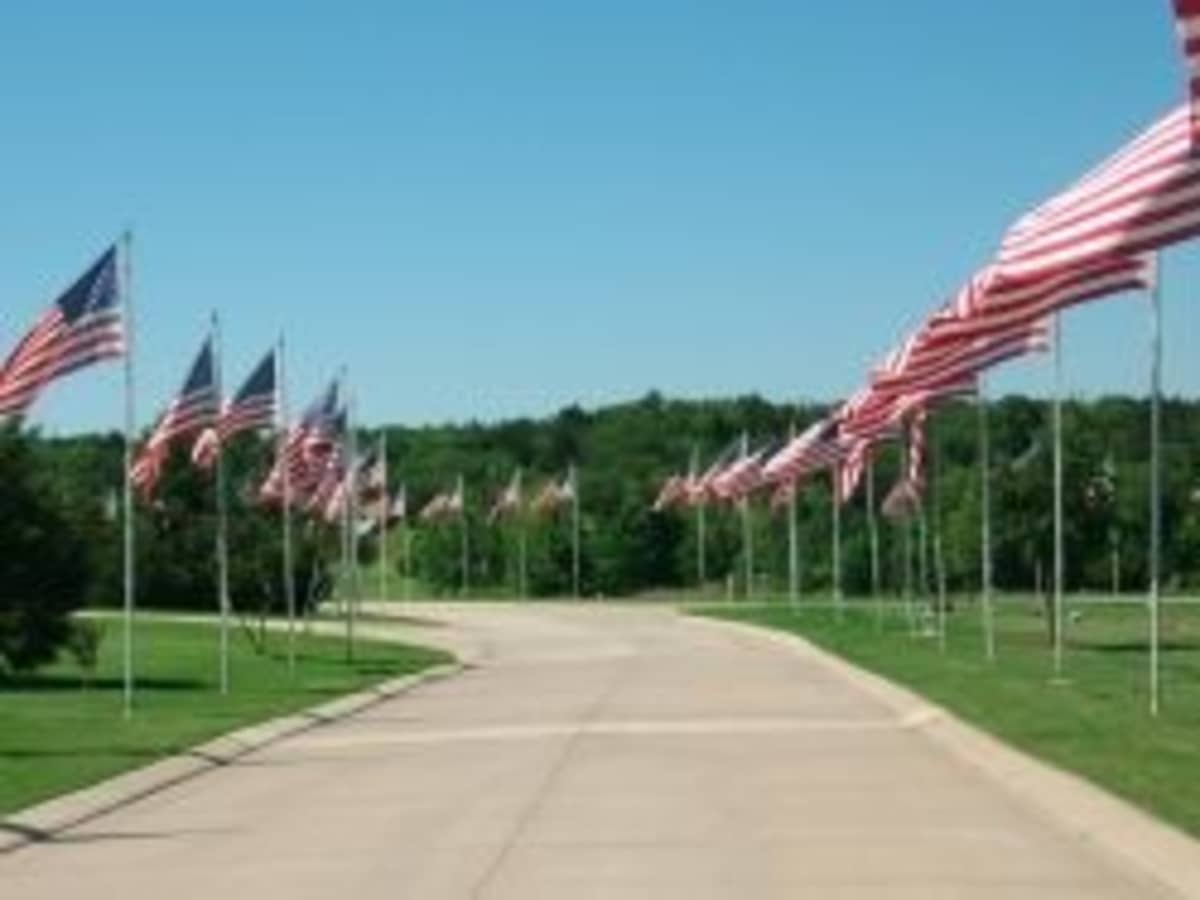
[1096,724]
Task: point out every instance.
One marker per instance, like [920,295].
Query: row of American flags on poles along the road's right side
[1099,238]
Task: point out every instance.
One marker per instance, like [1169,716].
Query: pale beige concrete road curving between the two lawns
[592,753]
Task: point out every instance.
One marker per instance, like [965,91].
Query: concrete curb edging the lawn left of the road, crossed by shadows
[46,821]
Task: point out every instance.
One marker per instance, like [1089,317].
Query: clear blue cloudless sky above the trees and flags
[499,209]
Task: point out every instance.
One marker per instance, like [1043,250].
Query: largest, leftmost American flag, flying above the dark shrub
[81,328]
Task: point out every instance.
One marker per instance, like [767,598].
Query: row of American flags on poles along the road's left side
[317,467]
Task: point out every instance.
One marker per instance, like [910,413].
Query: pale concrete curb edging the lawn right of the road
[1160,853]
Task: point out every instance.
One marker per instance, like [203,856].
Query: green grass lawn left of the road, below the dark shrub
[56,737]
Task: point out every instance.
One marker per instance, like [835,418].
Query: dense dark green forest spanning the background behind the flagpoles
[623,454]
